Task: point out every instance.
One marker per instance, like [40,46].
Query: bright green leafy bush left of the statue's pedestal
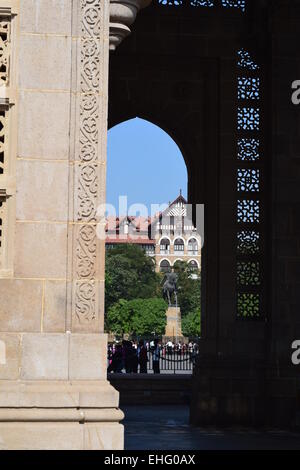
[140,317]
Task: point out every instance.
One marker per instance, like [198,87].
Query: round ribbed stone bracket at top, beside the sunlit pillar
[122,15]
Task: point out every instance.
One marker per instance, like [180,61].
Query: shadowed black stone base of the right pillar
[229,392]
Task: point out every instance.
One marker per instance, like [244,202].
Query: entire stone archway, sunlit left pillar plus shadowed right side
[177,69]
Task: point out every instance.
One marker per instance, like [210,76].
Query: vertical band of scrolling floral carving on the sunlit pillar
[88,166]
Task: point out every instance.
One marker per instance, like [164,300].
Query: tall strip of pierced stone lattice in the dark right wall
[249,203]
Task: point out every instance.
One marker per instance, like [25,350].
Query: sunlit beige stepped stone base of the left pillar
[78,415]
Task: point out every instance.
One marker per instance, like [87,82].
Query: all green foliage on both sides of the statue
[134,303]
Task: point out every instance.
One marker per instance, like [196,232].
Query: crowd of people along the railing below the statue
[133,356]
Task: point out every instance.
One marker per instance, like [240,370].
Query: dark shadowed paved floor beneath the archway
[166,428]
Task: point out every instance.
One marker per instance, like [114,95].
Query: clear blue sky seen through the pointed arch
[144,163]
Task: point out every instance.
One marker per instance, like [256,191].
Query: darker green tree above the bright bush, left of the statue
[130,274]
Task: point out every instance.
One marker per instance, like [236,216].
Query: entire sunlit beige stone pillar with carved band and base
[54,392]
